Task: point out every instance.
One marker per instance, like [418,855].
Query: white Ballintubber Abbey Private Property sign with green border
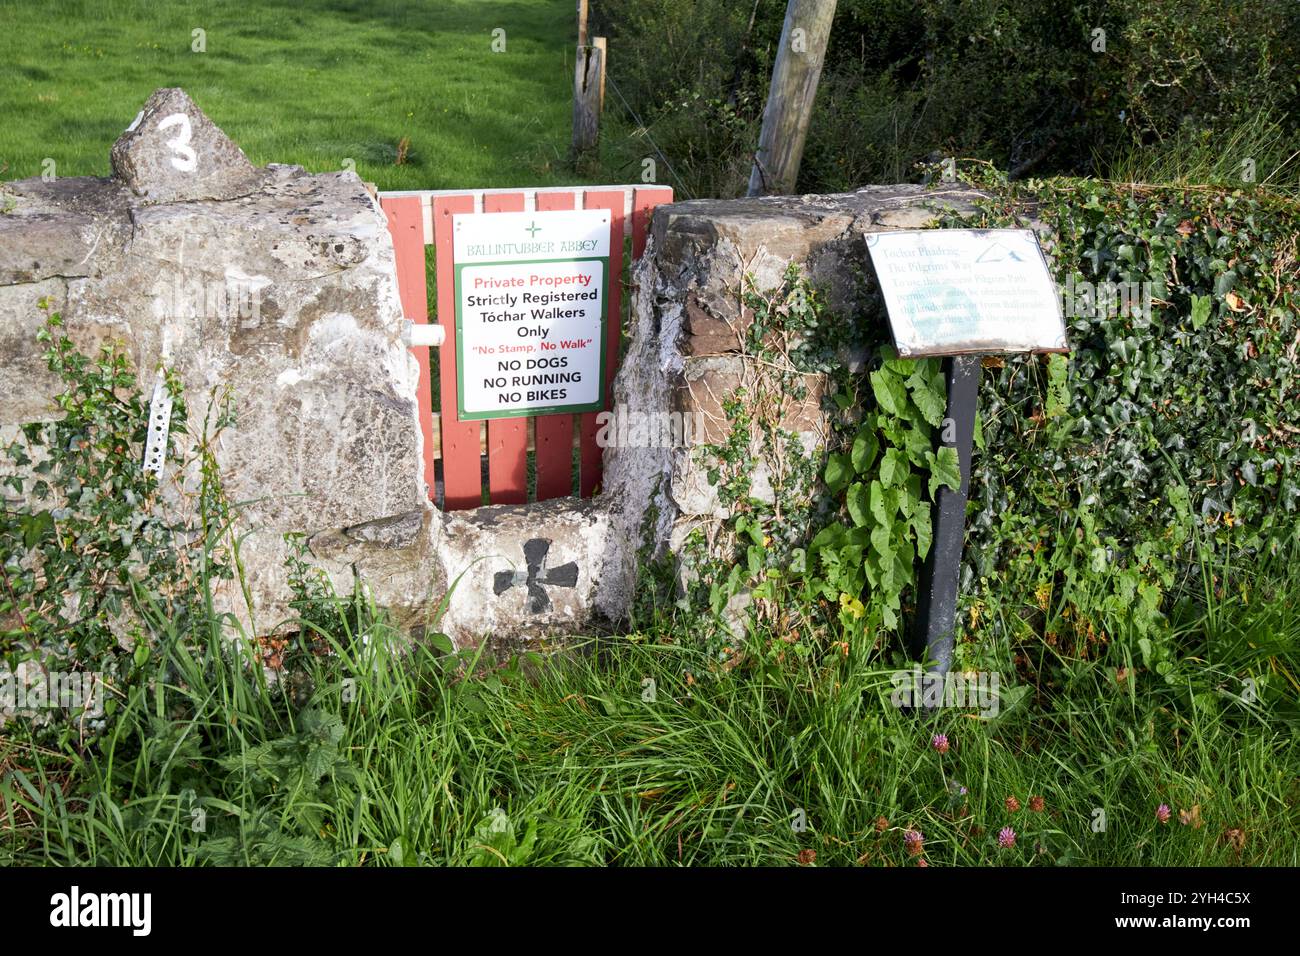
[531,296]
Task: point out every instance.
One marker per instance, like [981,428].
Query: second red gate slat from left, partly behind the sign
[462,473]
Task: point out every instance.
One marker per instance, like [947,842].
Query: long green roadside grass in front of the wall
[431,759]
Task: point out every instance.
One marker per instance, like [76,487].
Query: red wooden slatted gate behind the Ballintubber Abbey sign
[424,219]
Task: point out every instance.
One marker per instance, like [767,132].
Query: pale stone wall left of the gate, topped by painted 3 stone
[275,284]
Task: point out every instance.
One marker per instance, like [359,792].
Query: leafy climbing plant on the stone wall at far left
[88,553]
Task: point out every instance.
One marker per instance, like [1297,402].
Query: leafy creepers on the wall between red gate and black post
[835,552]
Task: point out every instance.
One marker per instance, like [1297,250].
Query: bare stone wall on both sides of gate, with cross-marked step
[280,287]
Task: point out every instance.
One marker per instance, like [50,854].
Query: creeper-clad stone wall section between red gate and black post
[757,318]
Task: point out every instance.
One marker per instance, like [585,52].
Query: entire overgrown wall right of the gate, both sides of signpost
[1102,481]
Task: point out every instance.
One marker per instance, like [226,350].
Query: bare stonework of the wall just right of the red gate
[688,345]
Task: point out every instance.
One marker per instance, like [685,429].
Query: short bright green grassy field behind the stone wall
[313,84]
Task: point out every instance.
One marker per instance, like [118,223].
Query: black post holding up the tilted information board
[934,629]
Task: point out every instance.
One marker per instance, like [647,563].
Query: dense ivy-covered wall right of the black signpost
[1171,432]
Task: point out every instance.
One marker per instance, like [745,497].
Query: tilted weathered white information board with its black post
[961,295]
